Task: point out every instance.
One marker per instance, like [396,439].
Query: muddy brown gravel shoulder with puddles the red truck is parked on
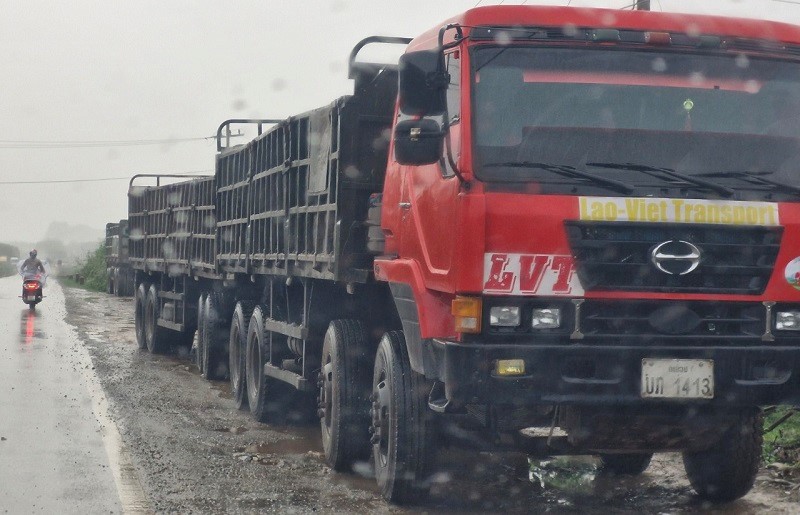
[194,452]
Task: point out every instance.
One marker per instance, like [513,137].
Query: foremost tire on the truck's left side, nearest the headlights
[402,431]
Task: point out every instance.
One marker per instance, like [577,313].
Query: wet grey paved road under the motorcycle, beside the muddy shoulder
[53,434]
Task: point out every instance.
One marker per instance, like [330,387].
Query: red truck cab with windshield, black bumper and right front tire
[591,220]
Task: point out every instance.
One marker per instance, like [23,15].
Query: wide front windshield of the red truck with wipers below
[692,113]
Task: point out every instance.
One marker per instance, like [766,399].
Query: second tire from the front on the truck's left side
[344,390]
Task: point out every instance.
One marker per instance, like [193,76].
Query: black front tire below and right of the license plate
[727,470]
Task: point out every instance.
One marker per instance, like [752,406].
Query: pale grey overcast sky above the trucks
[99,71]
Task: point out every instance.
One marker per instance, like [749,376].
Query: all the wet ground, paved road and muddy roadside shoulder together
[89,423]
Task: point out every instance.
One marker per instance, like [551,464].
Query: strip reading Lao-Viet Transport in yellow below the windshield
[690,211]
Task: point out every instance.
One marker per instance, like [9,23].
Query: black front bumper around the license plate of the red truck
[607,374]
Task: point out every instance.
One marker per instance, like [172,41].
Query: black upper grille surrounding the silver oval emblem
[617,256]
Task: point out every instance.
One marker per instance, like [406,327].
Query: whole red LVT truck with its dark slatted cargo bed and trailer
[578,220]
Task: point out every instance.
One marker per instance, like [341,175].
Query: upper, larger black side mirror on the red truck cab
[423,82]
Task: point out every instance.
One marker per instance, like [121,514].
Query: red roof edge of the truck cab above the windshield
[545,16]
